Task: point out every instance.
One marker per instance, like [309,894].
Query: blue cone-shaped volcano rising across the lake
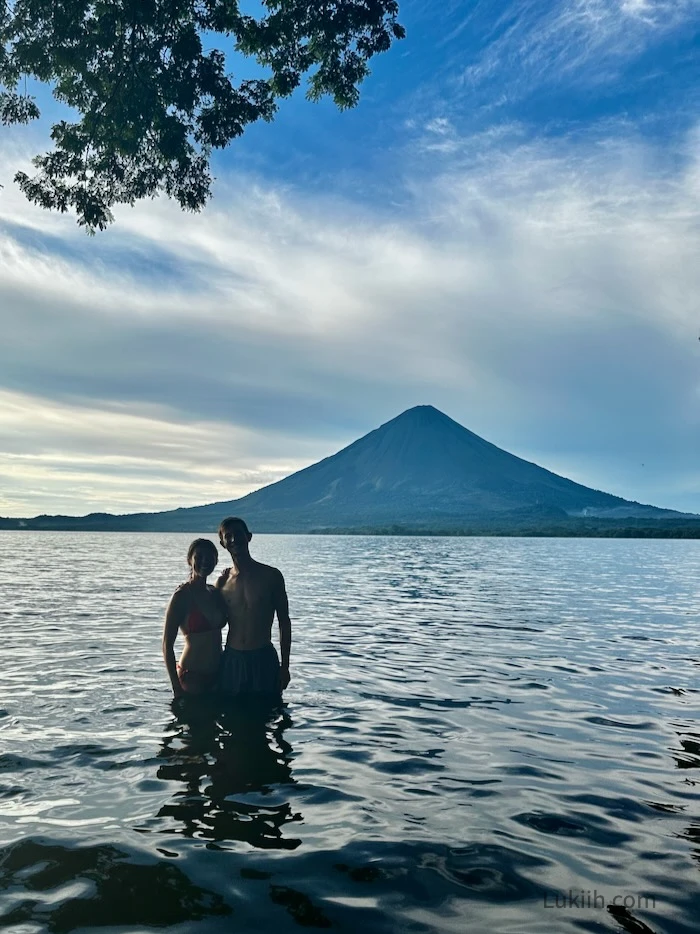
[420,470]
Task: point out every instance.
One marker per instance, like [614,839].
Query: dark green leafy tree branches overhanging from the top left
[149,83]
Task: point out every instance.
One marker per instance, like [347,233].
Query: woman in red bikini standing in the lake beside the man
[199,612]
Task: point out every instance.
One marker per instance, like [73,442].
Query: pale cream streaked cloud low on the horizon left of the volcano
[70,459]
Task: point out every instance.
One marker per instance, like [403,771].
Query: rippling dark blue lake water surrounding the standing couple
[483,735]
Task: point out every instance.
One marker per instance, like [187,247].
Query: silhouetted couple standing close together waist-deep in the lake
[246,597]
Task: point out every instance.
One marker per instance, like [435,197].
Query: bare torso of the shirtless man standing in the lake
[251,598]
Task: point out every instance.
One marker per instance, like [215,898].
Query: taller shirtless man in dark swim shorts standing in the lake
[253,593]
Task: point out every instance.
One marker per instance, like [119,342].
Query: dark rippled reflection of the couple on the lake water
[222,757]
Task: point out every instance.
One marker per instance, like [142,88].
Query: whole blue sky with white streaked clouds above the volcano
[507,227]
